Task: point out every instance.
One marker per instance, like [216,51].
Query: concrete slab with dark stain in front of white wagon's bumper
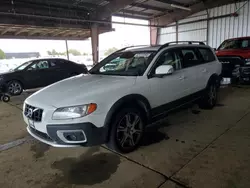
[37,165]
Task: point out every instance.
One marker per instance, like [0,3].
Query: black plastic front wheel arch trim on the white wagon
[134,100]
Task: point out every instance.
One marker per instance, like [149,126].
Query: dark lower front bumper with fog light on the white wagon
[70,135]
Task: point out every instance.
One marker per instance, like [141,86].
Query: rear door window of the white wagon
[190,58]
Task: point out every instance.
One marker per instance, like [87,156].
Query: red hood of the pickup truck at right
[244,53]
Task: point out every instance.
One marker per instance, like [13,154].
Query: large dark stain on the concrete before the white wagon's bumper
[90,168]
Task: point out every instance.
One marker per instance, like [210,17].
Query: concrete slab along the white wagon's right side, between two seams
[189,132]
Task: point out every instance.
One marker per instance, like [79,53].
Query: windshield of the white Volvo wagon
[124,64]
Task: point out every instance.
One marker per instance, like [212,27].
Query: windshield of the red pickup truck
[235,44]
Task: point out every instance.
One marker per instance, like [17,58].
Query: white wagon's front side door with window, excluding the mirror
[166,91]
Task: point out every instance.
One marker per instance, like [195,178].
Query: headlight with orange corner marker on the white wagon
[73,112]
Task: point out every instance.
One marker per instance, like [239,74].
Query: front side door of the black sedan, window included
[36,74]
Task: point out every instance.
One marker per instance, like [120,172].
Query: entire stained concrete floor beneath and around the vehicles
[192,148]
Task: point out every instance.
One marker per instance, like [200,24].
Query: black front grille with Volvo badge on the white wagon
[33,113]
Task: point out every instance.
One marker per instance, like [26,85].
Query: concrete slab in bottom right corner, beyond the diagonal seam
[225,163]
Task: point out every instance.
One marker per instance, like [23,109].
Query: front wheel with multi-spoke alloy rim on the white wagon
[127,130]
